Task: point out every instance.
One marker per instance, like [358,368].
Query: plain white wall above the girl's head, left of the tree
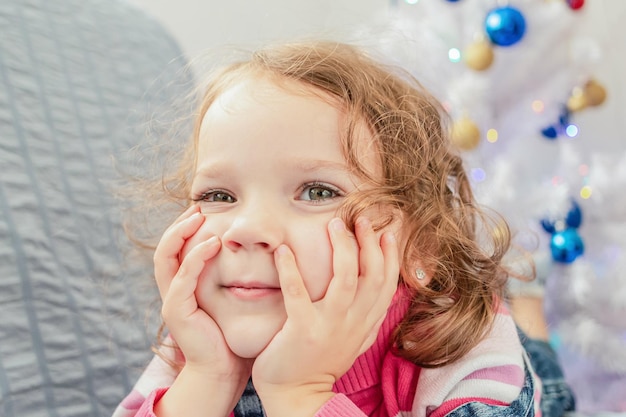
[201,25]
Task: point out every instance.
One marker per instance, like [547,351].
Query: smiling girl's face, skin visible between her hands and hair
[270,170]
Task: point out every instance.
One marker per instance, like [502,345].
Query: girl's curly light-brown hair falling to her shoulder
[458,243]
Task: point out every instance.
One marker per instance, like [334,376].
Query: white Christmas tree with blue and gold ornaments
[517,78]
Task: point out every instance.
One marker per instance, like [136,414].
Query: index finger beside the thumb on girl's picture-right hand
[343,285]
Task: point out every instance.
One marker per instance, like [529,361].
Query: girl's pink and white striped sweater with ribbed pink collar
[382,384]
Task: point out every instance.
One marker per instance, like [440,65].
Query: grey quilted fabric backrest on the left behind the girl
[78,80]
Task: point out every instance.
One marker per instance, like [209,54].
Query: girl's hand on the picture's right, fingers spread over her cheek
[320,340]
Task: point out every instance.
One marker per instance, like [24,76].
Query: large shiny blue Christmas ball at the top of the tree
[505,26]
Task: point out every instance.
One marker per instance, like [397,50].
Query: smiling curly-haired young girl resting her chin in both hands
[332,260]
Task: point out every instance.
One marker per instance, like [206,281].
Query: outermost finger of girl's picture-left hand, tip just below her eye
[167,254]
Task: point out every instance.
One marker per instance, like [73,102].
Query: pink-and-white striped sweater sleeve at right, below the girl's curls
[492,373]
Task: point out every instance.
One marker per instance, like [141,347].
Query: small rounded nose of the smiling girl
[254,228]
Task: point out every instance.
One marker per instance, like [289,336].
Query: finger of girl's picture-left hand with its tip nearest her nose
[180,300]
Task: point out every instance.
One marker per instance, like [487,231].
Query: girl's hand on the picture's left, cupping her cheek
[193,330]
